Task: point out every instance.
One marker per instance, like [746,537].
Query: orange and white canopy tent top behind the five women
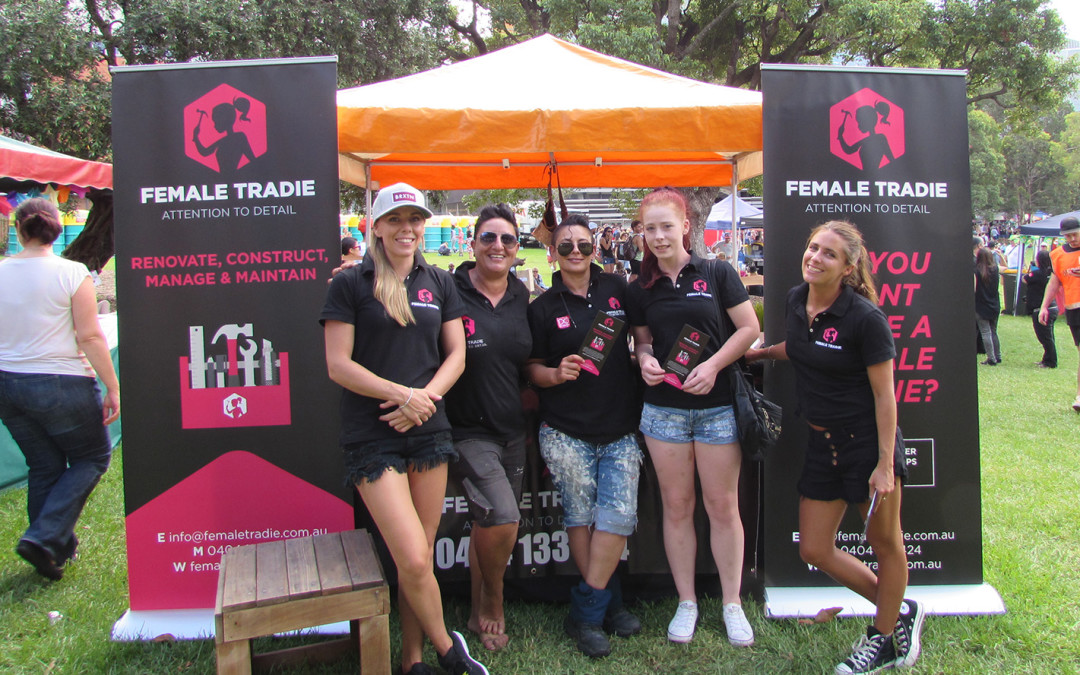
[501,120]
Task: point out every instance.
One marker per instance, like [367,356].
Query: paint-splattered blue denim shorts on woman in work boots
[597,482]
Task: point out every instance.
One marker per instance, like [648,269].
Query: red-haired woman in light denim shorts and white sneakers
[688,424]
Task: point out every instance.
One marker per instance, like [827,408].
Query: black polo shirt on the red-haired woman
[693,300]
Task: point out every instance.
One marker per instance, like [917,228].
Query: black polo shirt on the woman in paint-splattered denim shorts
[593,409]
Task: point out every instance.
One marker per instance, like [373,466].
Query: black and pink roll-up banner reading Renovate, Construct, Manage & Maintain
[226,234]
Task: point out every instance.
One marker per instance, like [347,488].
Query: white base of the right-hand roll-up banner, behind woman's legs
[790,603]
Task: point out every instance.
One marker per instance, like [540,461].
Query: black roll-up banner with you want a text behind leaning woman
[886,150]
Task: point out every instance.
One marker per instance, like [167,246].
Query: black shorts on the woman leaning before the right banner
[840,462]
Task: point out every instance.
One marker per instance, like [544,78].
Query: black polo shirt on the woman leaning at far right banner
[831,357]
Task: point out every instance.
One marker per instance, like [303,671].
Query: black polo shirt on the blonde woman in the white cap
[408,356]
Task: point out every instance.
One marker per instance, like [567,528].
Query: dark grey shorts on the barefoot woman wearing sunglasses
[492,474]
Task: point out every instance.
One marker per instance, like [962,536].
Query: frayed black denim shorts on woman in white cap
[369,460]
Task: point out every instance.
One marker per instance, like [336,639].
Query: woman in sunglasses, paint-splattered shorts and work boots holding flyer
[587,436]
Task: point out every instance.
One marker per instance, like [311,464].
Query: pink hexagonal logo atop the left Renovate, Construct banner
[225,130]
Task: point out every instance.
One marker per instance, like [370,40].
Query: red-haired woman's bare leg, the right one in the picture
[719,467]
